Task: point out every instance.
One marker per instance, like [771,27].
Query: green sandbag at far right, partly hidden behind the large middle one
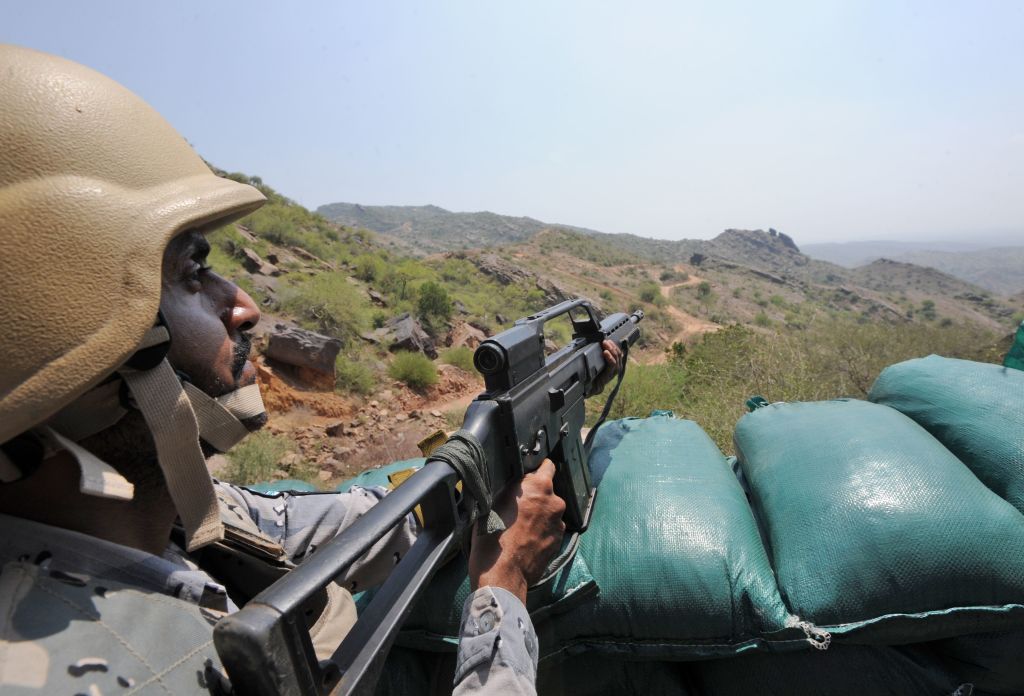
[976,410]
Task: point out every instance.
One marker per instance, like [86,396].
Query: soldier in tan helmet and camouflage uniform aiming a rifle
[108,408]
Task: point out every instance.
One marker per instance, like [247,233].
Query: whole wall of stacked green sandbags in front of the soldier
[878,547]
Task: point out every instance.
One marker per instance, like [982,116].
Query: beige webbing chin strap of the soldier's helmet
[178,416]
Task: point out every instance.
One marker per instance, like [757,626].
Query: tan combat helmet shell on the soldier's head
[94,185]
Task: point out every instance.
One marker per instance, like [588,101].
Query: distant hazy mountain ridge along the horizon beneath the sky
[428,230]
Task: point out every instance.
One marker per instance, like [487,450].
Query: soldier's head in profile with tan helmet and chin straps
[104,208]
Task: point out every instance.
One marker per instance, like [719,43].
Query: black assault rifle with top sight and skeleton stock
[533,409]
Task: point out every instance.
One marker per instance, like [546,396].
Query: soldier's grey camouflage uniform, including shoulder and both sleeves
[81,616]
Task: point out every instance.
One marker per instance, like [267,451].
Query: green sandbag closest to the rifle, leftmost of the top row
[674,549]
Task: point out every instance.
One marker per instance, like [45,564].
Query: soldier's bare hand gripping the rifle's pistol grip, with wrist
[518,557]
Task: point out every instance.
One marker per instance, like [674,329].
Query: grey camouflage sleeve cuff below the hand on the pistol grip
[497,647]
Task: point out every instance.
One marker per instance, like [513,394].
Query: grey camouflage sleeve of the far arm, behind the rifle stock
[302,523]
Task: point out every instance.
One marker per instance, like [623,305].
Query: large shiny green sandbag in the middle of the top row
[877,532]
